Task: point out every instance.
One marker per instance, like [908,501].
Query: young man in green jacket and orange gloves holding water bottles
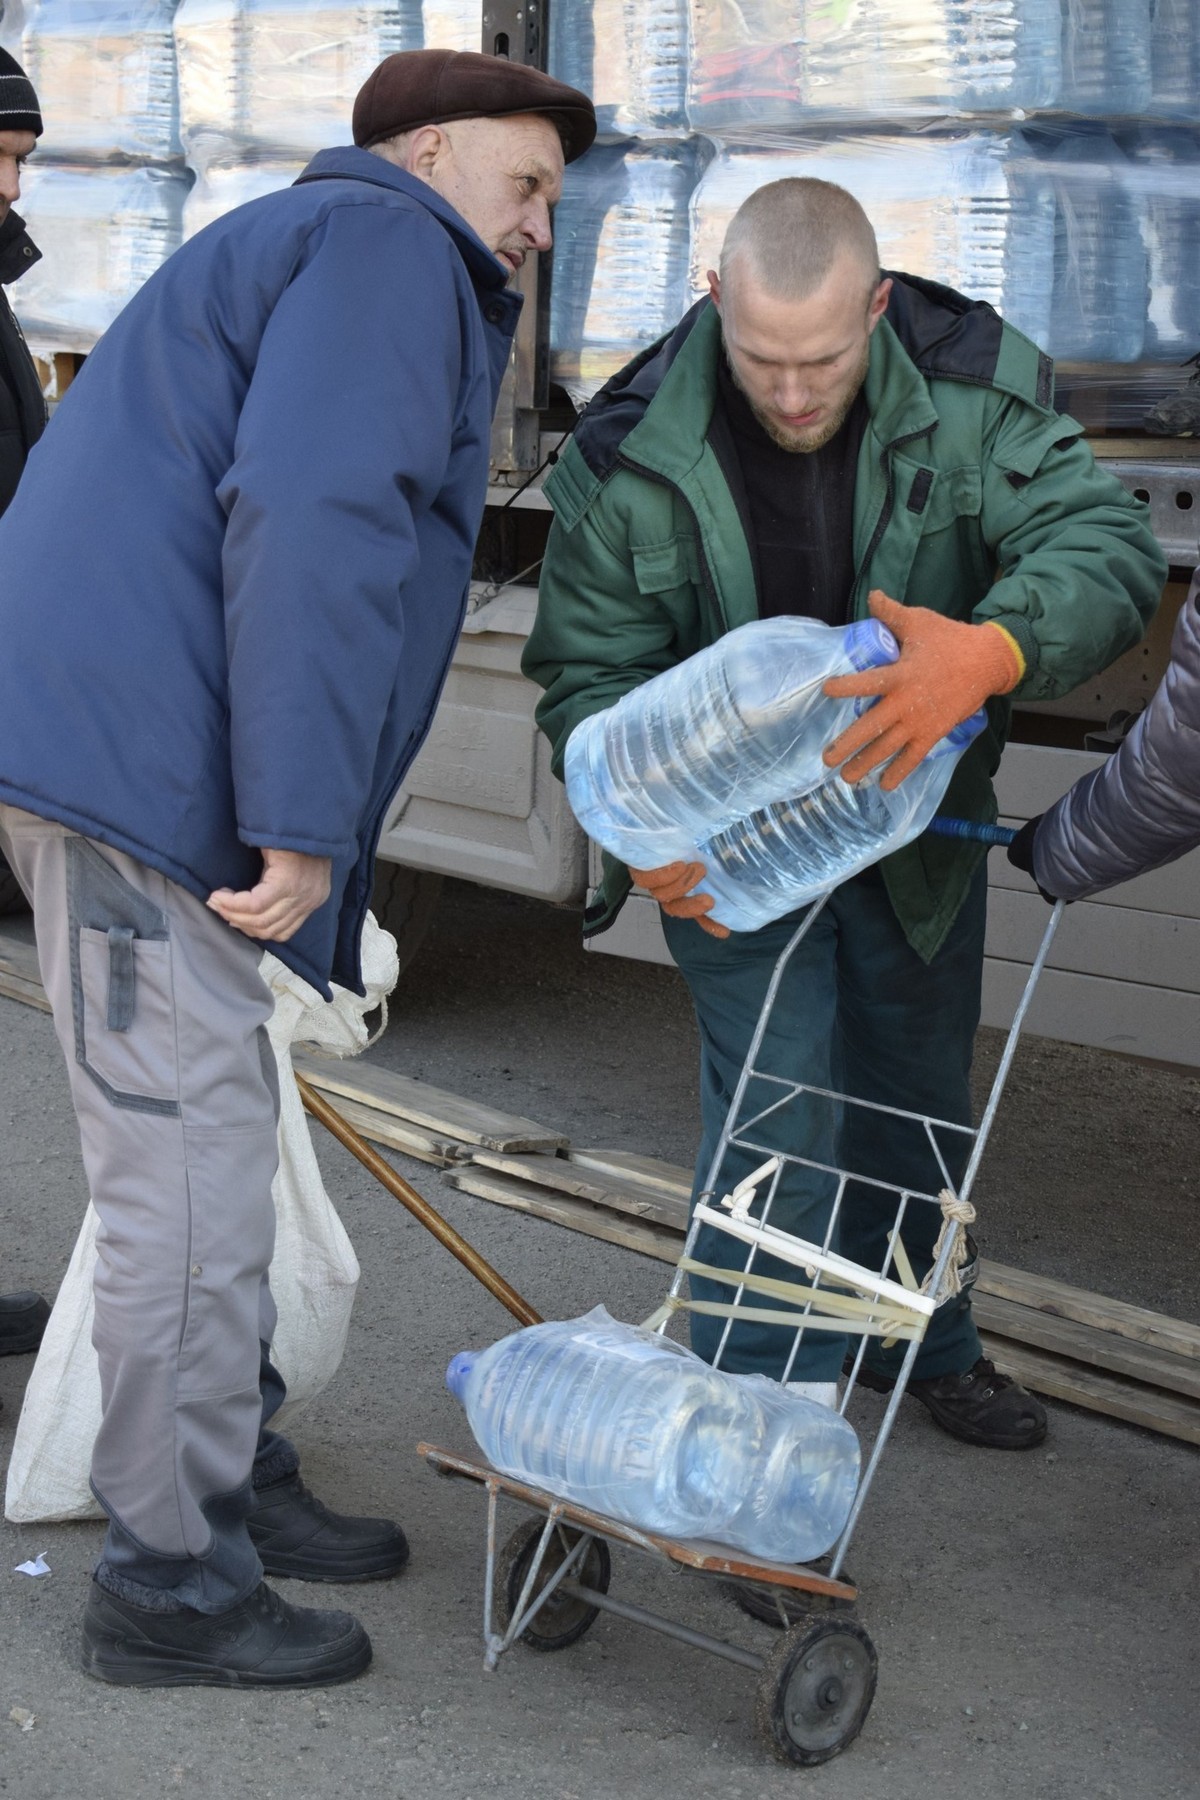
[818,438]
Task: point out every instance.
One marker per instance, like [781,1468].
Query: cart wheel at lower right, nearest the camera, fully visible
[816,1689]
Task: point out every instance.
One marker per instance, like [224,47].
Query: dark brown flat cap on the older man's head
[434,87]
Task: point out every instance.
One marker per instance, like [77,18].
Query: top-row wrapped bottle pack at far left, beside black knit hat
[105,76]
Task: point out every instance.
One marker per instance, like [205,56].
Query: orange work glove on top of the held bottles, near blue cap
[945,674]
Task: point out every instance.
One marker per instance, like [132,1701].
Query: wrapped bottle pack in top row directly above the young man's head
[780,66]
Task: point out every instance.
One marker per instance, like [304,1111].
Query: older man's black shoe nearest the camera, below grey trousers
[262,1642]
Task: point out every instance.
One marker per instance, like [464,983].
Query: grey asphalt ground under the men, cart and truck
[1035,1615]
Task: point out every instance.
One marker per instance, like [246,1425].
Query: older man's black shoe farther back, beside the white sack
[296,1534]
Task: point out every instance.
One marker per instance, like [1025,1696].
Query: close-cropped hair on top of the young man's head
[791,235]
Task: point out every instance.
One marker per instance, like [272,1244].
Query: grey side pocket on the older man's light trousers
[123,1000]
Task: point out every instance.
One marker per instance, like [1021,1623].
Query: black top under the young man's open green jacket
[798,507]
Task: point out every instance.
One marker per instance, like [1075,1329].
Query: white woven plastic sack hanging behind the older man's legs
[314,1272]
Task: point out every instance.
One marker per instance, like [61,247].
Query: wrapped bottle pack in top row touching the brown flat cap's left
[276,80]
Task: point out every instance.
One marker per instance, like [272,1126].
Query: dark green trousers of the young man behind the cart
[857,1014]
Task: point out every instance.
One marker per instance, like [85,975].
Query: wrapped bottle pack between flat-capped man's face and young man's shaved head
[620,258]
